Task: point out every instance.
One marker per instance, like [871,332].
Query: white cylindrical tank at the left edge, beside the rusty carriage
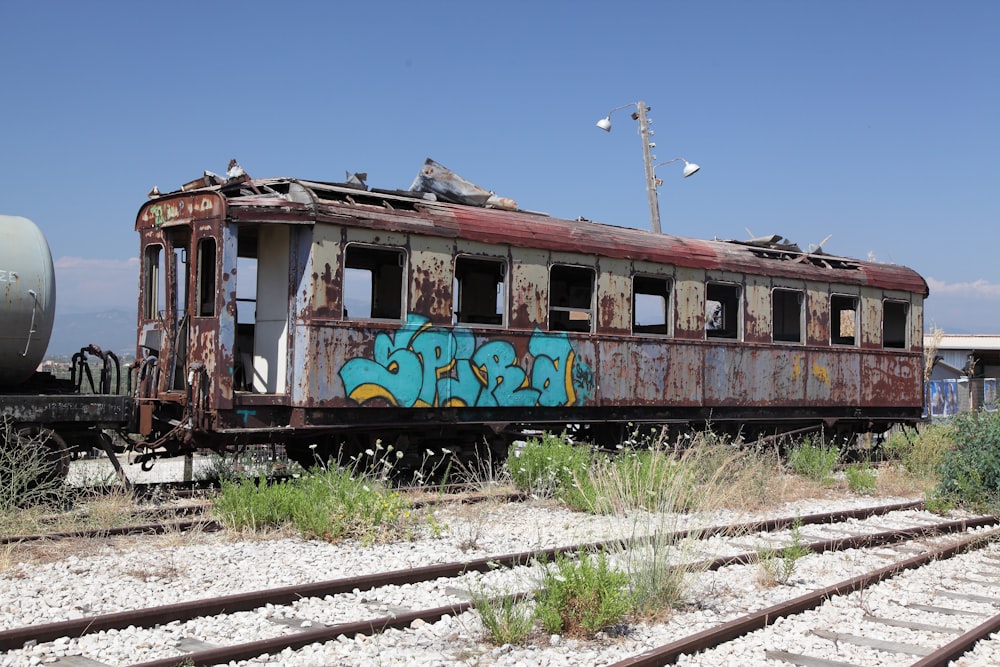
[27,298]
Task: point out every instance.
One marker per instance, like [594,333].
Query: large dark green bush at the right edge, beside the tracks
[970,472]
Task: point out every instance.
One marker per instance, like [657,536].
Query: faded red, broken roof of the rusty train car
[296,201]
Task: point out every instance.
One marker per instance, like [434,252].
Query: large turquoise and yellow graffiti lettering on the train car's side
[423,366]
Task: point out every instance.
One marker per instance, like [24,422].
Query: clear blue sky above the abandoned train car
[876,122]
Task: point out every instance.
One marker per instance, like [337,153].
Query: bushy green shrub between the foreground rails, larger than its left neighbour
[579,597]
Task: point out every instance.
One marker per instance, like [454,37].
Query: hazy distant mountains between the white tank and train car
[110,330]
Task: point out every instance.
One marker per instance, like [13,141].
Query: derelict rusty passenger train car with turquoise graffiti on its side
[324,316]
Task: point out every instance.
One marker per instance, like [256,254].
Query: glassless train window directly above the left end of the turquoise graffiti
[373,283]
